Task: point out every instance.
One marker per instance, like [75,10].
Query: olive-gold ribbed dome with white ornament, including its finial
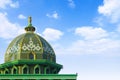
[29,46]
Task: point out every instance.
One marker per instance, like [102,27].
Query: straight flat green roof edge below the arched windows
[40,76]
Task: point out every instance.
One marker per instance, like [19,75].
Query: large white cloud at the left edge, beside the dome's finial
[8,30]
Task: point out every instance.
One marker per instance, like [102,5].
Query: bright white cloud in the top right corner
[110,9]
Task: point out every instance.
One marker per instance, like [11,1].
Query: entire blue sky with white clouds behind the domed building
[83,33]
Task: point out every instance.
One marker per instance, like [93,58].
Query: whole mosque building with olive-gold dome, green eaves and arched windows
[31,57]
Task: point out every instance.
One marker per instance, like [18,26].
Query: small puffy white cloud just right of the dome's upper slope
[52,34]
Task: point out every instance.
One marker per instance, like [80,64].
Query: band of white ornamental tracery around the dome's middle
[30,46]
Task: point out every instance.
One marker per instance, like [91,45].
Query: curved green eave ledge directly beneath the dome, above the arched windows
[29,62]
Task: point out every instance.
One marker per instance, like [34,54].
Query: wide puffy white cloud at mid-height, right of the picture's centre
[91,33]
